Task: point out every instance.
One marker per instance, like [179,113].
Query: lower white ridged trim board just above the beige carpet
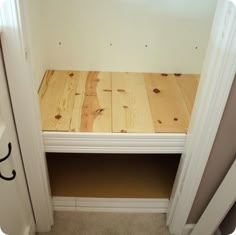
[128,205]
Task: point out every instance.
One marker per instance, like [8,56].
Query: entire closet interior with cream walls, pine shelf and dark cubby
[116,83]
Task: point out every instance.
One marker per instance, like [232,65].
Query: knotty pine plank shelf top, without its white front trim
[116,102]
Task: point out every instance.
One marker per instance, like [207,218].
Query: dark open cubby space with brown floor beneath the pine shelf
[115,176]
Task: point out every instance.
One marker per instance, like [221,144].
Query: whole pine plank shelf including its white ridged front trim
[112,111]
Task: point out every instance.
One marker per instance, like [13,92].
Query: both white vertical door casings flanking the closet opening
[217,78]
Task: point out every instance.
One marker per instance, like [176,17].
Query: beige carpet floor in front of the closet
[89,223]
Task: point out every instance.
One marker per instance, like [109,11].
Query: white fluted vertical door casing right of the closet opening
[216,80]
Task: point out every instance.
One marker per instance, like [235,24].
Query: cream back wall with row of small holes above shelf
[126,35]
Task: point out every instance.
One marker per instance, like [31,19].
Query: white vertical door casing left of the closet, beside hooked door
[25,109]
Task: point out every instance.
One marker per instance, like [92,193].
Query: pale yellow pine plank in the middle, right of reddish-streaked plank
[130,105]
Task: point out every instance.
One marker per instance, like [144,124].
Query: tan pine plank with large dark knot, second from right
[169,110]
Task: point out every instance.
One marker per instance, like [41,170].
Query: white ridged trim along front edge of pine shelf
[70,142]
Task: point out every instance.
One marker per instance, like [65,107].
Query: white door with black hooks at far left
[16,216]
